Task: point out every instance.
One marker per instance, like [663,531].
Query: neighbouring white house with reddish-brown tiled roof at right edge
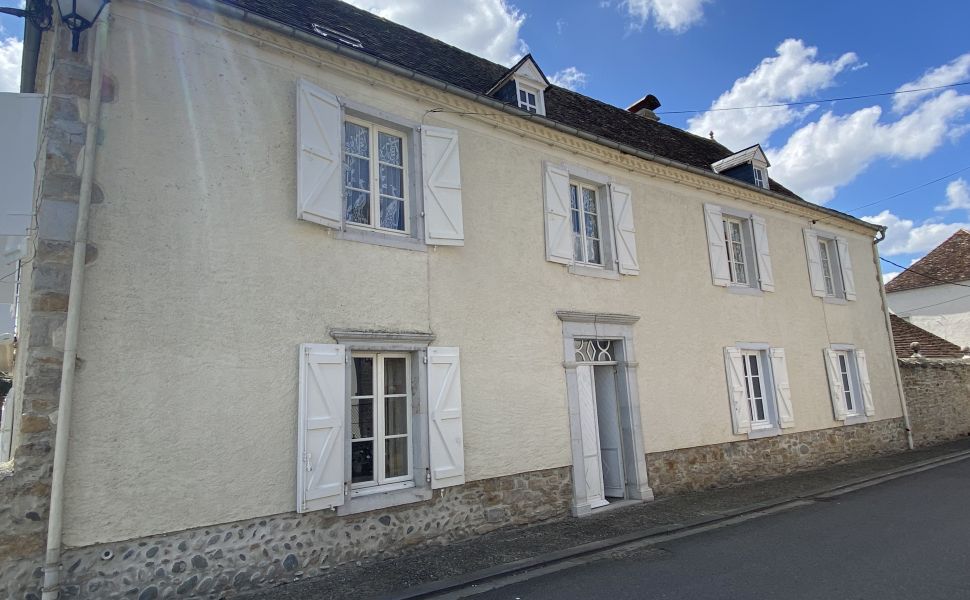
[925,294]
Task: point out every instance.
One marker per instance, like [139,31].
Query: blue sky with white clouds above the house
[695,54]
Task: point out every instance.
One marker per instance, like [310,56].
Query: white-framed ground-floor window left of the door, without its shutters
[380,409]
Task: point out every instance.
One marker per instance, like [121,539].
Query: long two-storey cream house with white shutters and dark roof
[410,295]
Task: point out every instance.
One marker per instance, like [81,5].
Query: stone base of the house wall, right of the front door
[702,467]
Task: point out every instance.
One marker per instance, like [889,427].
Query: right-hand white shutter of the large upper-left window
[442,187]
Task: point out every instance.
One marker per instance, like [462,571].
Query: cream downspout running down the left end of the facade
[52,566]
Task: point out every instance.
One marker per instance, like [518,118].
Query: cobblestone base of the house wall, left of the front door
[222,560]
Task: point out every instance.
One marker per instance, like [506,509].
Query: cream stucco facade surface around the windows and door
[206,283]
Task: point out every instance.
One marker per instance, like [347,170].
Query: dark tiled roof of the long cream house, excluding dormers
[418,52]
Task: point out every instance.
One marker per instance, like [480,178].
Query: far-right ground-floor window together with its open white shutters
[851,390]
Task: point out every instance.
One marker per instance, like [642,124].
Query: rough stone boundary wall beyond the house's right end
[938,397]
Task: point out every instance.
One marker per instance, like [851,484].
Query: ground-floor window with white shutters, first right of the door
[758,387]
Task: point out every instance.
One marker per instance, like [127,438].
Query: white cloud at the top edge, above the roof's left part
[488,28]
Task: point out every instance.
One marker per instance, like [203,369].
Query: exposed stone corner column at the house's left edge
[25,480]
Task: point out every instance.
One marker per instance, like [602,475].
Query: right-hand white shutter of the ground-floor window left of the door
[444,407]
